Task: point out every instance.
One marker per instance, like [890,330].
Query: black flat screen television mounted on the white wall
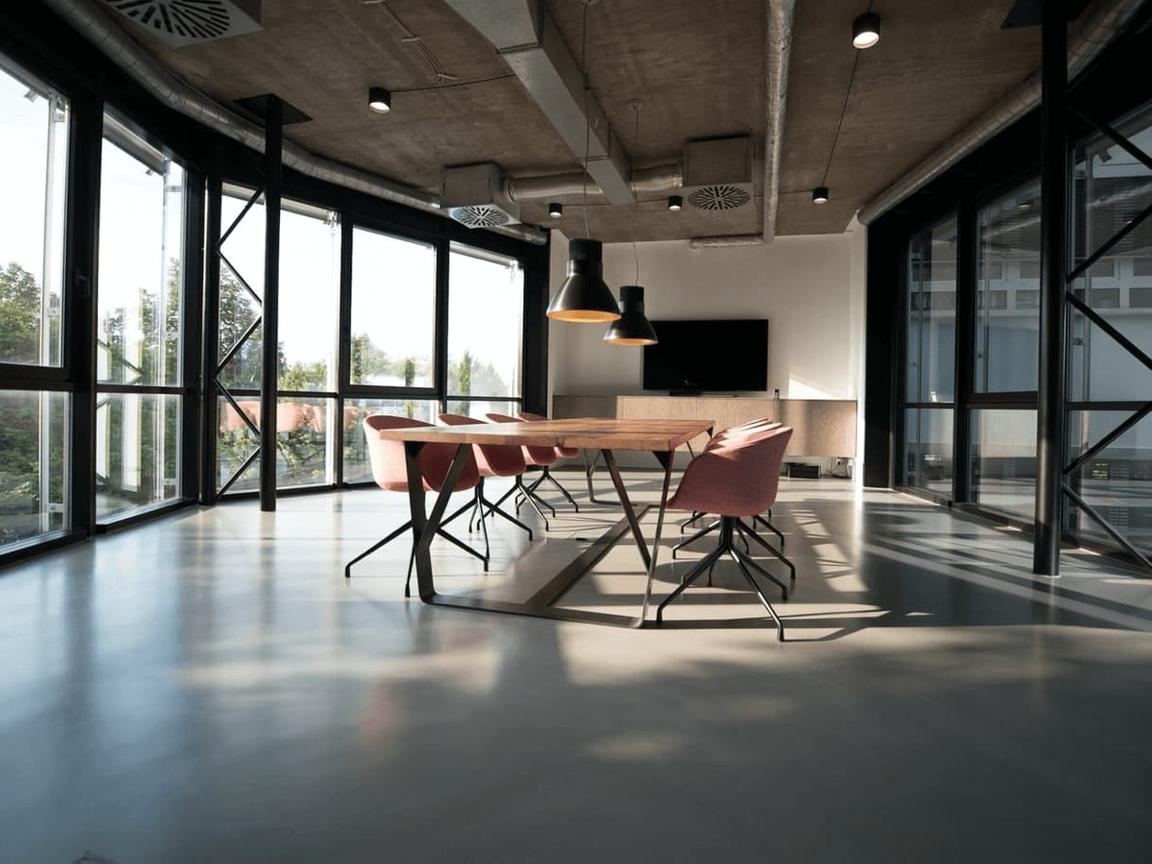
[708,355]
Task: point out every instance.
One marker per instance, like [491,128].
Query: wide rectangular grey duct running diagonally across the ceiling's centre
[528,40]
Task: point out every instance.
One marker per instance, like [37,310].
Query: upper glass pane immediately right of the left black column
[309,300]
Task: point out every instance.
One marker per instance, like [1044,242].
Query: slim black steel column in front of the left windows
[274,135]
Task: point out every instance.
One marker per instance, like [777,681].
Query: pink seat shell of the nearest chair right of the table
[739,476]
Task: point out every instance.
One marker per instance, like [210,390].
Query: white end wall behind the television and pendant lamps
[810,289]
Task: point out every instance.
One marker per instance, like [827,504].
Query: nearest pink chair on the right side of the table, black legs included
[737,479]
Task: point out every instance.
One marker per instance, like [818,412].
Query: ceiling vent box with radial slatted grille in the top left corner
[190,22]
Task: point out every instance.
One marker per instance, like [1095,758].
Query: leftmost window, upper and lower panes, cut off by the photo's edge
[34,433]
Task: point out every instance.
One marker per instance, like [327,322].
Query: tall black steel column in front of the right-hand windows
[1050,429]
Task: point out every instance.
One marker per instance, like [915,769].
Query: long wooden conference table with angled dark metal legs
[660,437]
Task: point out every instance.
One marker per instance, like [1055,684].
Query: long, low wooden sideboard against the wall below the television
[821,428]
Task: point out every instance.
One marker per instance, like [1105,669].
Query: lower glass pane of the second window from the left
[138,452]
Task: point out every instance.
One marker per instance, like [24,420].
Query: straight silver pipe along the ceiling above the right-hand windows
[1097,28]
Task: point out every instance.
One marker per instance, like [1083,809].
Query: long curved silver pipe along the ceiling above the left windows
[98,28]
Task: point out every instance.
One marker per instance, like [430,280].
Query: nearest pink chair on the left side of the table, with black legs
[390,471]
